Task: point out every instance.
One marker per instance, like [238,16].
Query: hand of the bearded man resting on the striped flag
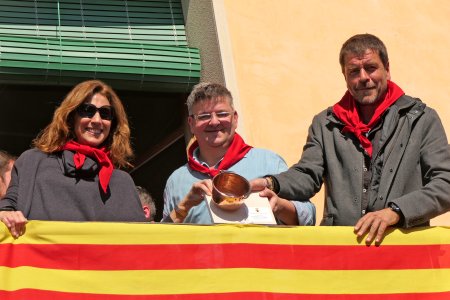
[375,224]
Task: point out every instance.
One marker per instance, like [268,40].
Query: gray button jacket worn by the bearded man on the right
[411,167]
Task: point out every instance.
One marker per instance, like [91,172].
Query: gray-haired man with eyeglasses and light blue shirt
[213,122]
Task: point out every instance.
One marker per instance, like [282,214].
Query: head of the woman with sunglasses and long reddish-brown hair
[70,123]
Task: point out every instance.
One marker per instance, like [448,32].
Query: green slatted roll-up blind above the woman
[129,44]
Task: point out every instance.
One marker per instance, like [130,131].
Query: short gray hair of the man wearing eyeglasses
[207,91]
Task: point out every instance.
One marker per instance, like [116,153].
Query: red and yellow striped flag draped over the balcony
[69,260]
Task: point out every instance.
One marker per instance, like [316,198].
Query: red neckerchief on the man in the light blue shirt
[235,153]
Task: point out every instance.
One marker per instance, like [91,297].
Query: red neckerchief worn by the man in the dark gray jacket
[346,111]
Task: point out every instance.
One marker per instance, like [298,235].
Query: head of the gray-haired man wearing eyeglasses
[212,118]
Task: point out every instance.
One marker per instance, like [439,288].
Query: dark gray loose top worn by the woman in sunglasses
[47,187]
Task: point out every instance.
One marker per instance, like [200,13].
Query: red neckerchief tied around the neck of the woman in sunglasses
[100,155]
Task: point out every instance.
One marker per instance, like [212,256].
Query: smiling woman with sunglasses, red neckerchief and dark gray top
[72,172]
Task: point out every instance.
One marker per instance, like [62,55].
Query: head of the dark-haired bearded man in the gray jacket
[365,65]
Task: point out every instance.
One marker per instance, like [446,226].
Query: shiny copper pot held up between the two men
[230,190]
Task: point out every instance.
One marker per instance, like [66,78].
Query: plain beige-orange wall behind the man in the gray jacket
[285,55]
